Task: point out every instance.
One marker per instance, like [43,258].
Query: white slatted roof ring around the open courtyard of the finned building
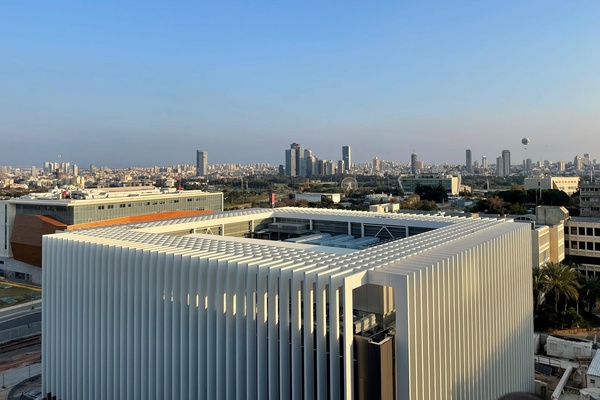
[446,234]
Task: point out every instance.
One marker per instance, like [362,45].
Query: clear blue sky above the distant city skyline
[147,83]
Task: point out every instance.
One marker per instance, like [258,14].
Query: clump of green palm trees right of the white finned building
[556,289]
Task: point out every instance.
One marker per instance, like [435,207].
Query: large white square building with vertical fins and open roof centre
[441,309]
